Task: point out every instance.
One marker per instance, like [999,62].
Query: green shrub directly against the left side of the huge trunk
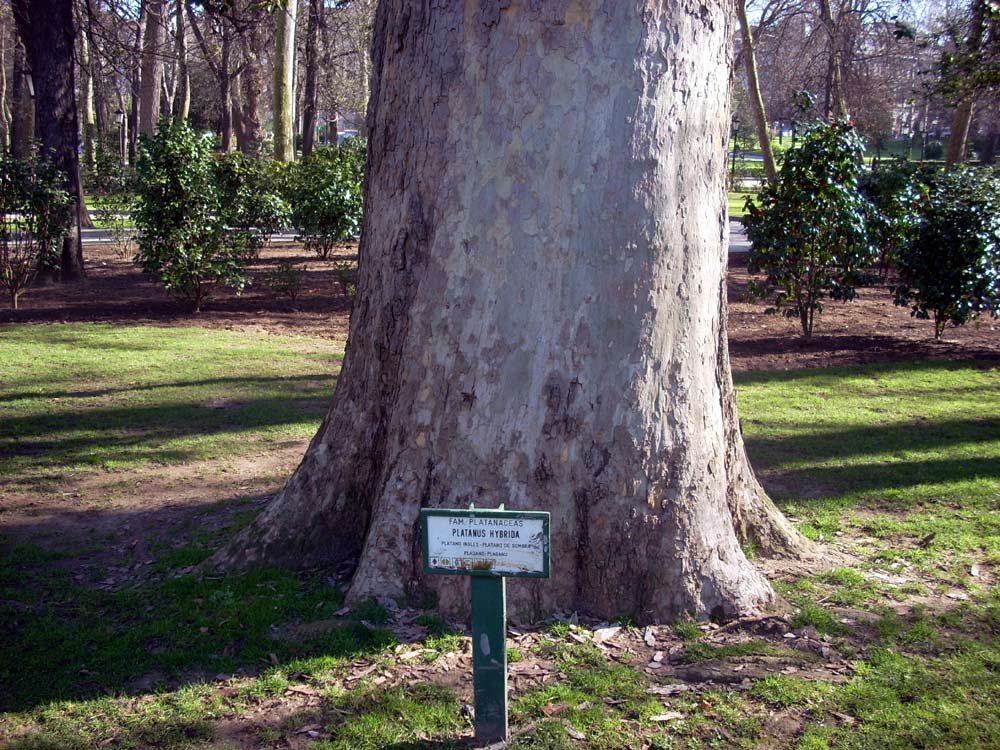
[325,191]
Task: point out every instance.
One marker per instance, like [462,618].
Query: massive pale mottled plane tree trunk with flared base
[540,315]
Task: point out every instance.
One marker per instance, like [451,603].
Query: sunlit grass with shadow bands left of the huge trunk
[87,398]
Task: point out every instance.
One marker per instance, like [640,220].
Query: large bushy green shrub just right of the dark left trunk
[190,215]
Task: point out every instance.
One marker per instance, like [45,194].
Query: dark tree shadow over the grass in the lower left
[160,626]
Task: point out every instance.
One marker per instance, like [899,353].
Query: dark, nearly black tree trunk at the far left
[48,29]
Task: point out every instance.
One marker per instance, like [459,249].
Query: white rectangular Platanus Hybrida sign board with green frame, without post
[499,543]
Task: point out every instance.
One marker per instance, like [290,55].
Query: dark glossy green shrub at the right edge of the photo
[951,270]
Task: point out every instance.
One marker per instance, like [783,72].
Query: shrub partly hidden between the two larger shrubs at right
[896,193]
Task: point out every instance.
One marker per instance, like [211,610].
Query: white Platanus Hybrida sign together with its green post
[488,546]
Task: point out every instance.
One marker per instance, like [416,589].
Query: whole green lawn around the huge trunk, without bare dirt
[898,464]
